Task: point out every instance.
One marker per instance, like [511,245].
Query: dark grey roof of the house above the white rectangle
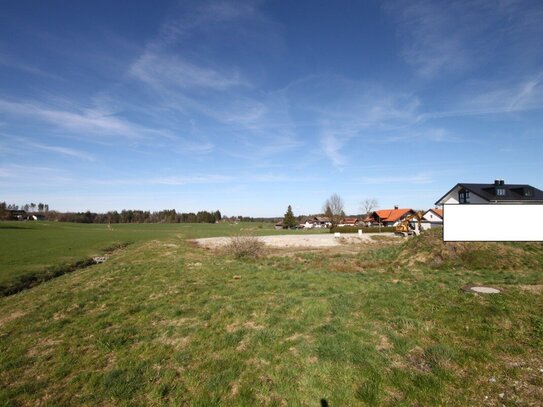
[513,192]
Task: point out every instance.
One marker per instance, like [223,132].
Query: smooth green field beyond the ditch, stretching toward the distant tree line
[34,248]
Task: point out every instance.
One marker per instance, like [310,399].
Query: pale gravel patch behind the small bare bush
[324,240]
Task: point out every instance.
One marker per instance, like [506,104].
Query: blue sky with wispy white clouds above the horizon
[248,107]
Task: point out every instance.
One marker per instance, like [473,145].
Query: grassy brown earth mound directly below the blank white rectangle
[430,249]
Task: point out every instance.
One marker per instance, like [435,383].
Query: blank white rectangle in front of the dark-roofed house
[503,222]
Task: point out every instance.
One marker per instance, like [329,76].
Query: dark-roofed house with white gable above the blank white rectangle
[496,193]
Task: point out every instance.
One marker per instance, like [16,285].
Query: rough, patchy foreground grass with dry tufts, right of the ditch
[166,323]
